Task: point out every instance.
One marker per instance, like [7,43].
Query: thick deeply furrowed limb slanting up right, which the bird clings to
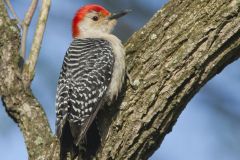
[181,48]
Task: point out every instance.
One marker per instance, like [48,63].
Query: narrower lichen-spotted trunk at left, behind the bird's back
[19,102]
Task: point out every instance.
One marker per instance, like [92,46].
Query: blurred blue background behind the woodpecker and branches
[209,127]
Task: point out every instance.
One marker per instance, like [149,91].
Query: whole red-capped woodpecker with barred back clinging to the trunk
[92,74]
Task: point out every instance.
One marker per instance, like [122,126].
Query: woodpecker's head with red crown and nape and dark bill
[93,18]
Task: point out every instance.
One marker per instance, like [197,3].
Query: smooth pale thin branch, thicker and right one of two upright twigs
[29,67]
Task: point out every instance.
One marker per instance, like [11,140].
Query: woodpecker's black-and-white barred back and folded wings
[82,86]
